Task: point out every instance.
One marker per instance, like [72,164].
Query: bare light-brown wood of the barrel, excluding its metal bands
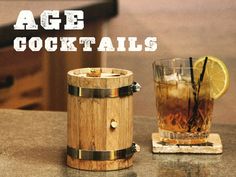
[89,120]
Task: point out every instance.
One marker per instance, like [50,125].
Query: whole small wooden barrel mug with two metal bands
[100,119]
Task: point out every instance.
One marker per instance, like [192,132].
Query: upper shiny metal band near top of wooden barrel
[104,93]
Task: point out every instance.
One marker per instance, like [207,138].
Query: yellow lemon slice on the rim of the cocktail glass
[219,75]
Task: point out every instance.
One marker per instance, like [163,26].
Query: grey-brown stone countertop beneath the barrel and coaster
[33,144]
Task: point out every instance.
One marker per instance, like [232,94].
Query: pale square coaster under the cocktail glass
[213,146]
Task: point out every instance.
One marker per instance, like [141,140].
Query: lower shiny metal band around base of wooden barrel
[101,155]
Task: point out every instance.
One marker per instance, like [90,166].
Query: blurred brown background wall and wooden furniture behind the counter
[184,28]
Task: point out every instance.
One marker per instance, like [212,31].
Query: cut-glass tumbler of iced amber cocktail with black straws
[183,101]
